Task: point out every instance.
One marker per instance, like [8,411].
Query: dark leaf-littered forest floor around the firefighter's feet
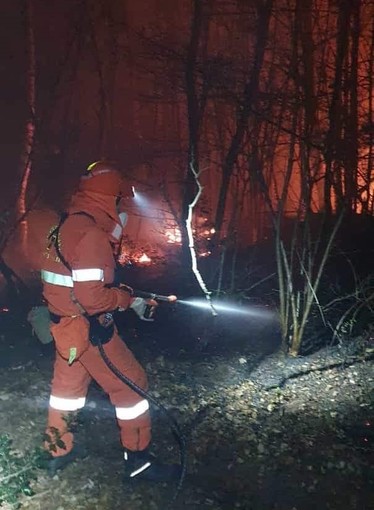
[260,435]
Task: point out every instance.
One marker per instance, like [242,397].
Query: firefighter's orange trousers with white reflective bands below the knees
[69,389]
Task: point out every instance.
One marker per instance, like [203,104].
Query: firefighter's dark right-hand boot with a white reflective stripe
[143,465]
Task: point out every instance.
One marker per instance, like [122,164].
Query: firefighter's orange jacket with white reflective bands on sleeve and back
[85,246]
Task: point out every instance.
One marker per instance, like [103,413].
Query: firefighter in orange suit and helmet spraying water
[78,270]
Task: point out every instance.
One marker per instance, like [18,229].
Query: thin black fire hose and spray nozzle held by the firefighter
[175,428]
